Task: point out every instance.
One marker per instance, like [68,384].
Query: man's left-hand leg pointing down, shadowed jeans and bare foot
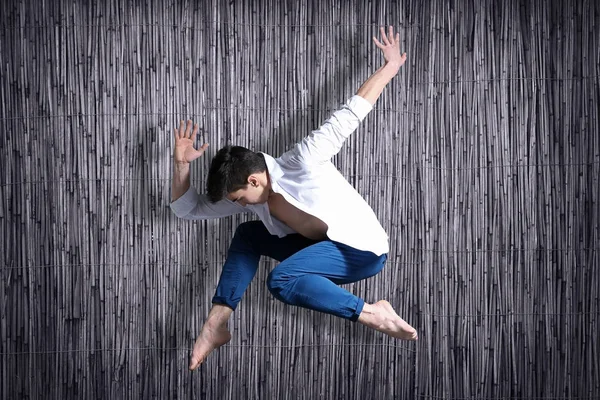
[251,240]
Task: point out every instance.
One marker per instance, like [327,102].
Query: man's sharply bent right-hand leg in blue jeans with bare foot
[310,279]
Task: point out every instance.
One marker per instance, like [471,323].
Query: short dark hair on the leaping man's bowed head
[230,169]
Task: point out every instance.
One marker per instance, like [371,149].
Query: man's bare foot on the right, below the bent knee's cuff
[382,317]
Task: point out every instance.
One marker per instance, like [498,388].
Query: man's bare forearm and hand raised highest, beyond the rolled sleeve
[372,88]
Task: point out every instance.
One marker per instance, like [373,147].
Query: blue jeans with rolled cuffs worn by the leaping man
[308,275]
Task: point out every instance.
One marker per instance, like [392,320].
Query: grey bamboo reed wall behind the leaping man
[481,159]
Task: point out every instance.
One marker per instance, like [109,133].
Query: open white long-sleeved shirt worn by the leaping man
[308,180]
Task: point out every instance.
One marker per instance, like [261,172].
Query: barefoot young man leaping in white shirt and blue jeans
[311,219]
